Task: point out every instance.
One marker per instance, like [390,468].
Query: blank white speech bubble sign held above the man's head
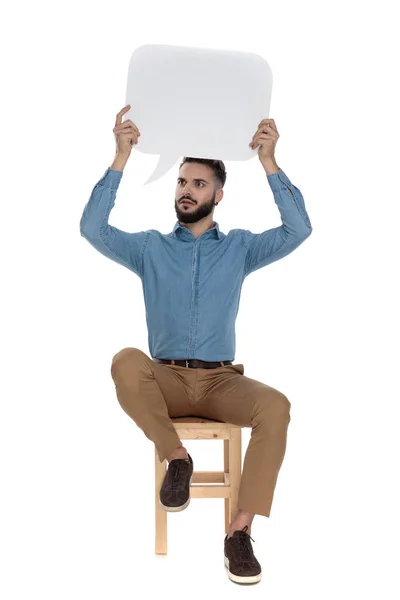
[196,102]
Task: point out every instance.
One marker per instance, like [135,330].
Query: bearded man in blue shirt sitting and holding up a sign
[192,279]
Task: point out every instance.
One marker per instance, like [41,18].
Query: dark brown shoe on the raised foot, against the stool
[175,489]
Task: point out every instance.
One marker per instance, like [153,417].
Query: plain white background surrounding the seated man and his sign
[321,325]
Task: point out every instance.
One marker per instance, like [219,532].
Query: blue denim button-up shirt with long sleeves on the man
[192,286]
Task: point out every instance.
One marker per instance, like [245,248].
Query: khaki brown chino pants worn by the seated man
[152,393]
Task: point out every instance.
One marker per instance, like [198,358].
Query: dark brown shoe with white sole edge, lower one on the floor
[242,565]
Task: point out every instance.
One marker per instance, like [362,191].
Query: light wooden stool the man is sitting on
[224,484]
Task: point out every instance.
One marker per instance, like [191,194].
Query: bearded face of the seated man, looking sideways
[195,183]
